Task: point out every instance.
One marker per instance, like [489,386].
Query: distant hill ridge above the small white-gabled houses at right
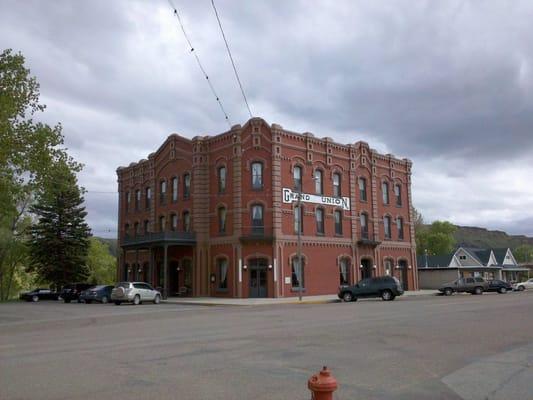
[471,236]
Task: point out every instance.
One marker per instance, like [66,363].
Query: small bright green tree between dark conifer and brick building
[102,265]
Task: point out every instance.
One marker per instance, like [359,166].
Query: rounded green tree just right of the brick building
[437,238]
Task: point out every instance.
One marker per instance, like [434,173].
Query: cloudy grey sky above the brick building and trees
[448,84]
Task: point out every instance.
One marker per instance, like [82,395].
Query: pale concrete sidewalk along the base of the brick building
[220,301]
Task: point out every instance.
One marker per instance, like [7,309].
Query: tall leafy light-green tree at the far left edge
[29,151]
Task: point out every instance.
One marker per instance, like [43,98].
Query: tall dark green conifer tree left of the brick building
[60,239]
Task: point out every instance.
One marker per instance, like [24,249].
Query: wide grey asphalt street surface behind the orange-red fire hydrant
[413,348]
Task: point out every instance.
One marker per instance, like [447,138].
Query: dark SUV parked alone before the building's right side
[386,287]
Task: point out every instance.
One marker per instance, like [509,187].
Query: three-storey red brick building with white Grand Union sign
[219,216]
